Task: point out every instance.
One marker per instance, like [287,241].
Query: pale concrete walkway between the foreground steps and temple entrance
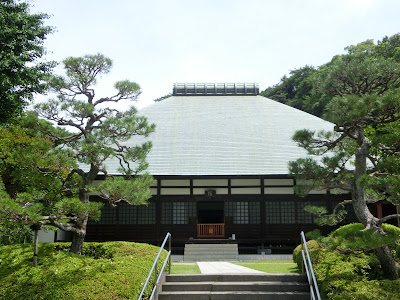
[222,267]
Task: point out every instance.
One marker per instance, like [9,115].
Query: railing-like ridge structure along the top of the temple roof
[215,89]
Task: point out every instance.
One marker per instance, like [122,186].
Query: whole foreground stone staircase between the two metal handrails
[235,287]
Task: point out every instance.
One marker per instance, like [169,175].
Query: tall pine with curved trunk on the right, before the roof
[362,155]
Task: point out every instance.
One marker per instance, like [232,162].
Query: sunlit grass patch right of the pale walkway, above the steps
[271,266]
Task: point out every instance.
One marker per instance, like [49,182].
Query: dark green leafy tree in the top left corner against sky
[21,47]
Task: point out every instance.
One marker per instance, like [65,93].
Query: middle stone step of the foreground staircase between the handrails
[260,286]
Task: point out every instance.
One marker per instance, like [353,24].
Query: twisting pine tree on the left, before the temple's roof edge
[100,132]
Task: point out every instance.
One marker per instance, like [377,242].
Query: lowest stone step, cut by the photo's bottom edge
[235,295]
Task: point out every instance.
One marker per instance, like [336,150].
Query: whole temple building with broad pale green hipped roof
[220,159]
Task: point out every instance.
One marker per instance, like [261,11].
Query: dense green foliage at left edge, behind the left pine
[32,171]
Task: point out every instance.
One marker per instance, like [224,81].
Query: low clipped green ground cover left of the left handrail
[113,270]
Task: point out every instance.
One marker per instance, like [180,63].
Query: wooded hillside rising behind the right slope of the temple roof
[359,72]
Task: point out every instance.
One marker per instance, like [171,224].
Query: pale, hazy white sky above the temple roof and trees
[157,43]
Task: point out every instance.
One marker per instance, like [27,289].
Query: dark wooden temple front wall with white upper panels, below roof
[256,210]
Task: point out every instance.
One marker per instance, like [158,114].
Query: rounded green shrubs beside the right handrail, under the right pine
[343,272]
